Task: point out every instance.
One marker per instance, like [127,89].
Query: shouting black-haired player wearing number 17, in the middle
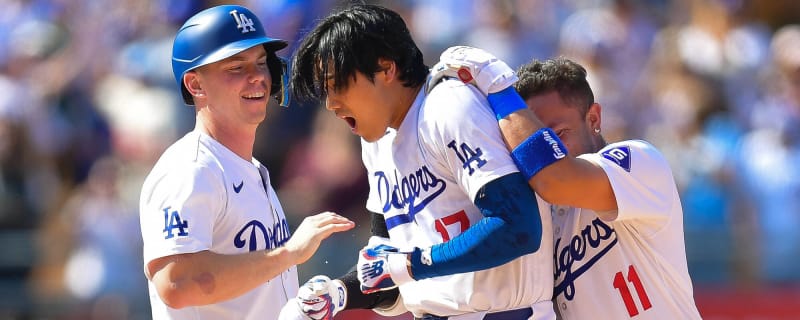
[458,229]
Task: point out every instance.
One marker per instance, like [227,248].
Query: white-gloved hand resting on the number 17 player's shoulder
[474,66]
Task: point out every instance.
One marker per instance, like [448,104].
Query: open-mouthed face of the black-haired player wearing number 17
[361,105]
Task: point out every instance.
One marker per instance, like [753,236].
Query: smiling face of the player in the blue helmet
[237,88]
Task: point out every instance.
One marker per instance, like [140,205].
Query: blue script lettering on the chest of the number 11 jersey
[597,235]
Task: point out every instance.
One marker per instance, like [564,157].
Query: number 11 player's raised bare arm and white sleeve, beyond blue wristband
[601,181]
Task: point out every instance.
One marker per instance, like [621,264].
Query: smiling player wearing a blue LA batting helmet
[216,241]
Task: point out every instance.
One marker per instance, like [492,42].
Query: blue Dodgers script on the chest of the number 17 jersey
[410,193]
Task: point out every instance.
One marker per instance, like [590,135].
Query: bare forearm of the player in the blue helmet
[205,277]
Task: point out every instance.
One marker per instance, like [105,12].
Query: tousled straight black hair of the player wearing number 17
[350,41]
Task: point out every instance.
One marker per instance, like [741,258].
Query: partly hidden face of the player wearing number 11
[573,129]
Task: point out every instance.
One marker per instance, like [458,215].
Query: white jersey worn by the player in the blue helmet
[201,196]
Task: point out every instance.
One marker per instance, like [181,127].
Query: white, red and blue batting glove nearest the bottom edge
[320,298]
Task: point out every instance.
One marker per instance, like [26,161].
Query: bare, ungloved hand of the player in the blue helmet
[308,236]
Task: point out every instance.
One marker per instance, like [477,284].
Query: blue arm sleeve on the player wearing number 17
[511,227]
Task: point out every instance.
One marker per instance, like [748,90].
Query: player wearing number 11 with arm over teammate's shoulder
[617,218]
